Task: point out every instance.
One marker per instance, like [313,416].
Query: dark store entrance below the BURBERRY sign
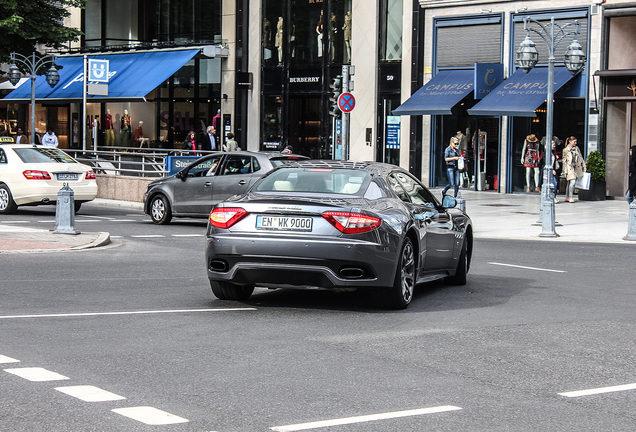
[305,125]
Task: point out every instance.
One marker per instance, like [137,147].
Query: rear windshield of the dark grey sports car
[321,180]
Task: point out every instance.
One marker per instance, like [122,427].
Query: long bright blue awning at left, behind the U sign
[132,76]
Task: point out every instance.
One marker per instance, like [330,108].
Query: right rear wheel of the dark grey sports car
[401,294]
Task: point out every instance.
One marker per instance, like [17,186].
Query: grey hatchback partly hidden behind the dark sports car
[193,191]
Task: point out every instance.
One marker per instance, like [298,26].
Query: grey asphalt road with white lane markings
[138,320]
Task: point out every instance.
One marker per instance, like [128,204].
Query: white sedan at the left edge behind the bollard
[33,175]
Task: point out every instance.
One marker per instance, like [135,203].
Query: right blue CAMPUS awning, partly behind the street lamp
[521,94]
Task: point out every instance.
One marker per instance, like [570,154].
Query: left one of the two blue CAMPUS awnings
[440,94]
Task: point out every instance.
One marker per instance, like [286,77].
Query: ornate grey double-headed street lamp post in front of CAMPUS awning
[527,57]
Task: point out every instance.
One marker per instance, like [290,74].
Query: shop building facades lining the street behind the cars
[263,69]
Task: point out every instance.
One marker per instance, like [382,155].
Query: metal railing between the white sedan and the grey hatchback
[148,163]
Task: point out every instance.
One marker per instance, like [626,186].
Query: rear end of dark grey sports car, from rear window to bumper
[302,228]
